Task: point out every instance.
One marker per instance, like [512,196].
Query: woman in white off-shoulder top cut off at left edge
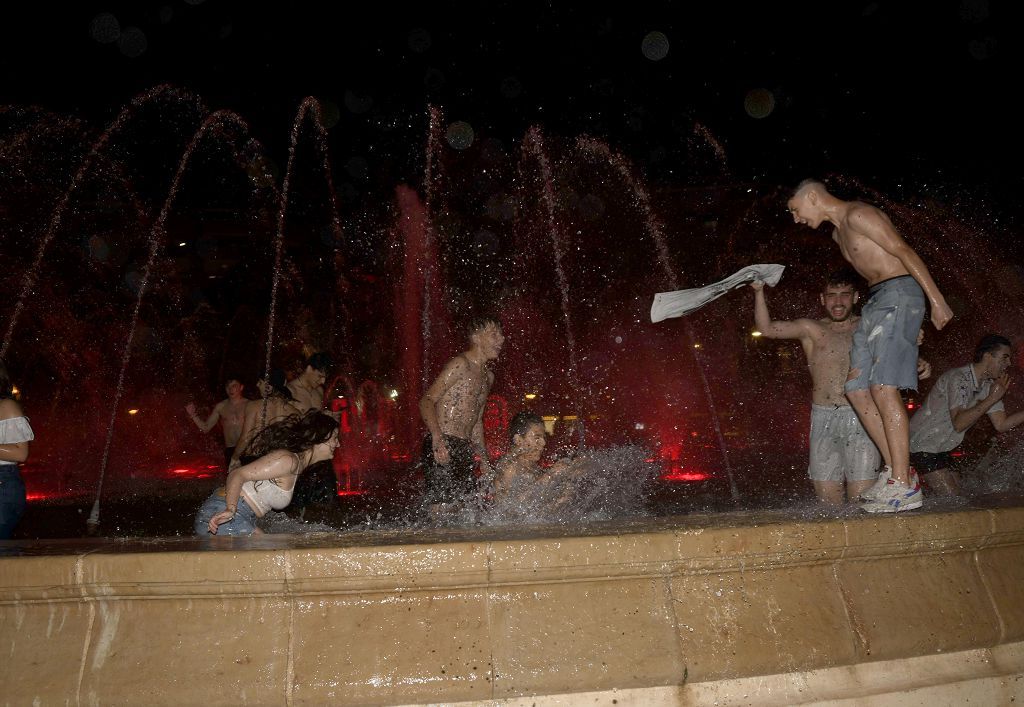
[16,434]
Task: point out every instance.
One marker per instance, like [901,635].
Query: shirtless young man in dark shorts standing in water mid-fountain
[453,411]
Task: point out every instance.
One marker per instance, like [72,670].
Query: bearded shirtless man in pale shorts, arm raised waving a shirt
[841,452]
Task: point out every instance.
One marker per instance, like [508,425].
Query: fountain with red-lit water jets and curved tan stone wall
[745,607]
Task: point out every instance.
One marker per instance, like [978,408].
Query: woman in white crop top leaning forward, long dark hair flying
[267,479]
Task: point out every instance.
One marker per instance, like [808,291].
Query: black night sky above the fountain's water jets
[900,96]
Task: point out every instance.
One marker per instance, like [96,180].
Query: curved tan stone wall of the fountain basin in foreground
[746,608]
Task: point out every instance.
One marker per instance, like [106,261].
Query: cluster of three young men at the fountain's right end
[864,448]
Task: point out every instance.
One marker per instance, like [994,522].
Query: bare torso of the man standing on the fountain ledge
[868,239]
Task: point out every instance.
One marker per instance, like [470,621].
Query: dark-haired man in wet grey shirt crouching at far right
[955,404]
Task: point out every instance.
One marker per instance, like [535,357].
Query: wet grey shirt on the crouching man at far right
[932,427]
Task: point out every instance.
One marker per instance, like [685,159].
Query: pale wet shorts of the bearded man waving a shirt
[841,449]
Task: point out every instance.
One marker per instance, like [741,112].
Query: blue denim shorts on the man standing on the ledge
[885,345]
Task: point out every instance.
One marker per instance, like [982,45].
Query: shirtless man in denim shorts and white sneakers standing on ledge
[884,358]
